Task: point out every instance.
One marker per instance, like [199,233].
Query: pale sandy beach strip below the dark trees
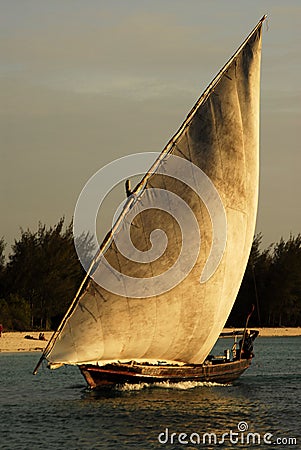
[15,341]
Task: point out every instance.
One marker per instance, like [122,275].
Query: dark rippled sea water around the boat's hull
[55,410]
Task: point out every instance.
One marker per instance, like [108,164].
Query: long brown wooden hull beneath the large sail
[118,373]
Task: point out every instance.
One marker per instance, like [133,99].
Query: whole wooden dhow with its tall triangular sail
[166,333]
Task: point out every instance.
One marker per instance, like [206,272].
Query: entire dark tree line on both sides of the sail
[43,273]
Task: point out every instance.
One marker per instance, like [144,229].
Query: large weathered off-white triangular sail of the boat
[221,137]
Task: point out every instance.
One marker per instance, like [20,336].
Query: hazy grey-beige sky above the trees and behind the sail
[86,82]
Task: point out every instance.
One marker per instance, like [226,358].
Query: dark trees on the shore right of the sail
[272,282]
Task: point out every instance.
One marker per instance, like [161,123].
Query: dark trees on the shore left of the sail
[40,278]
